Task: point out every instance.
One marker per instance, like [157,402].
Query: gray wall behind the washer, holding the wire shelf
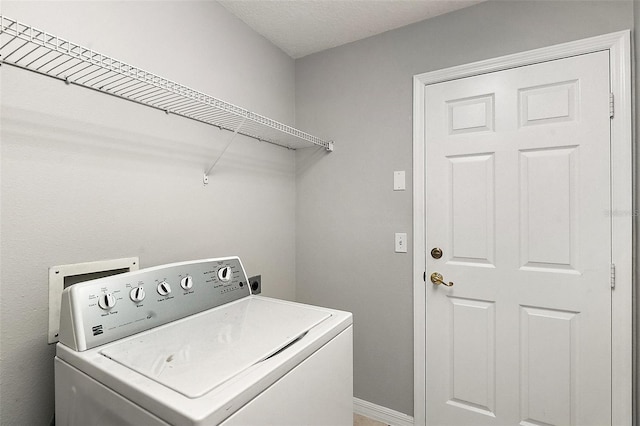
[86,176]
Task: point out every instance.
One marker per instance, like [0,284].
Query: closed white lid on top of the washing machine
[195,355]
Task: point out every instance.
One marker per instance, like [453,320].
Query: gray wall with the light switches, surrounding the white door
[360,95]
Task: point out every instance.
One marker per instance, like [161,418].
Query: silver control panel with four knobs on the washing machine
[100,311]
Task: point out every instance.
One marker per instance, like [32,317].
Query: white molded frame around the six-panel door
[622,187]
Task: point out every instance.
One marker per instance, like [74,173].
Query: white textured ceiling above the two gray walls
[302,27]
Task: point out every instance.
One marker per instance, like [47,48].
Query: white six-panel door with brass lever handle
[517,199]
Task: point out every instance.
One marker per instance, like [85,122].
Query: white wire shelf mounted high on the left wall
[31,49]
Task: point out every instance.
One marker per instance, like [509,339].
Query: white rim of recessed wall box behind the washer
[63,276]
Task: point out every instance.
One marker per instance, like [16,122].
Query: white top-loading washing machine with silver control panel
[188,344]
